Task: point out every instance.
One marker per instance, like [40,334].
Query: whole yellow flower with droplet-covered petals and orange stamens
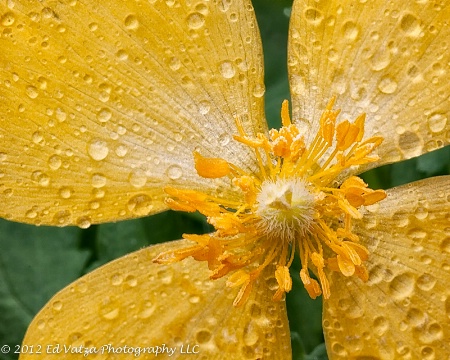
[122,110]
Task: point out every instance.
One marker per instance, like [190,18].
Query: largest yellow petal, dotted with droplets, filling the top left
[101,106]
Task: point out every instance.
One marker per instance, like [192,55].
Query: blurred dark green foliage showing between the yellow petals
[37,262]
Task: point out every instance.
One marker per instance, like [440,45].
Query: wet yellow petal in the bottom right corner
[403,310]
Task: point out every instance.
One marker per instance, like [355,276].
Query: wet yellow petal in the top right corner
[386,59]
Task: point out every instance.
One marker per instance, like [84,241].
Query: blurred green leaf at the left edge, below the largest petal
[35,263]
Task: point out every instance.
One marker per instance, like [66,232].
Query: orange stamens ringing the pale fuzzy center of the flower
[289,205]
